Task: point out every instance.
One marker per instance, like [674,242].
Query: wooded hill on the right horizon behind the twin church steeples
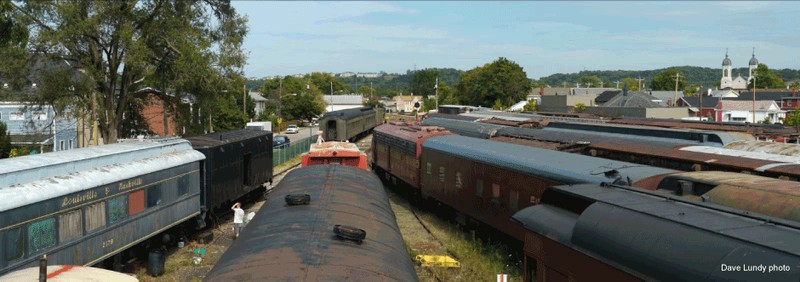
[707,77]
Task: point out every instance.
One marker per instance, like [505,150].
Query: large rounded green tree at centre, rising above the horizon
[500,83]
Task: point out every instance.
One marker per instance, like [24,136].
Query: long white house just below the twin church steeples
[742,111]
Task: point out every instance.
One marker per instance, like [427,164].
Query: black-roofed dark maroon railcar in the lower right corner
[582,232]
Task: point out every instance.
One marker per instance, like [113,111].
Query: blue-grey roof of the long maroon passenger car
[561,166]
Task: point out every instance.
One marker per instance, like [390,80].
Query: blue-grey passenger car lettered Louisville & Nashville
[85,205]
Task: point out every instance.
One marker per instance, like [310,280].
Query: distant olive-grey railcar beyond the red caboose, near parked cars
[350,124]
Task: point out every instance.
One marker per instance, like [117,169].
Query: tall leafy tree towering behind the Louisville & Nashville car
[119,47]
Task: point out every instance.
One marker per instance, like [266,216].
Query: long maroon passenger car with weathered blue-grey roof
[488,181]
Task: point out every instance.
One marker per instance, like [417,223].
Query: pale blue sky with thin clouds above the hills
[544,38]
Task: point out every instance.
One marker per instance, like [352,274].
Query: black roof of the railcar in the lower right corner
[662,238]
